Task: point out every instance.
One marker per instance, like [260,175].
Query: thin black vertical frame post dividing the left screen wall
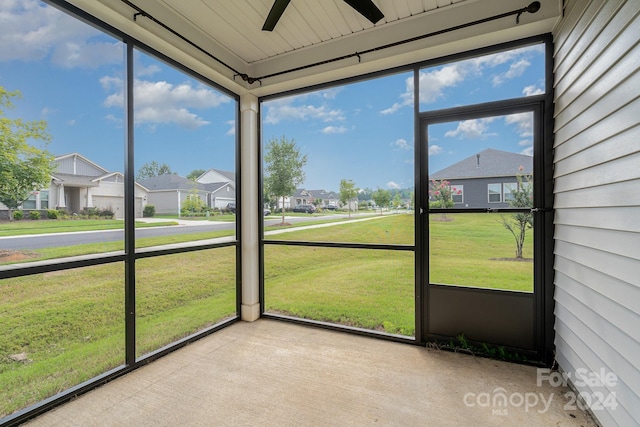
[129,215]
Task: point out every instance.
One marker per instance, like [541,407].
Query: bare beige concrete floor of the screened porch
[271,373]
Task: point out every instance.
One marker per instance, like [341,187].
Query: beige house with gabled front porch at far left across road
[78,183]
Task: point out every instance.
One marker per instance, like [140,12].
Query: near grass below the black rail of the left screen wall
[60,329]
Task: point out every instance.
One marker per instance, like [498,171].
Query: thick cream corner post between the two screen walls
[248,208]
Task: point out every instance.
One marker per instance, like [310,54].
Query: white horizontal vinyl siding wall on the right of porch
[597,197]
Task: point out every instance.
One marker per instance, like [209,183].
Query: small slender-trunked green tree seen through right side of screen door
[519,223]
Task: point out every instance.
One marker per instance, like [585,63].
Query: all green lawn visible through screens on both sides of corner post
[59,329]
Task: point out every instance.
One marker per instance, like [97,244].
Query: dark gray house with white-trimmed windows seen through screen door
[486,179]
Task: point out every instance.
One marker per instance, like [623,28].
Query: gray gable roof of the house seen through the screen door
[486,164]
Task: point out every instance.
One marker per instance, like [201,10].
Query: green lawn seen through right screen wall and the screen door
[374,289]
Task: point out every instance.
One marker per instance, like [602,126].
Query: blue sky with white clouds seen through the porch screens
[71,75]
